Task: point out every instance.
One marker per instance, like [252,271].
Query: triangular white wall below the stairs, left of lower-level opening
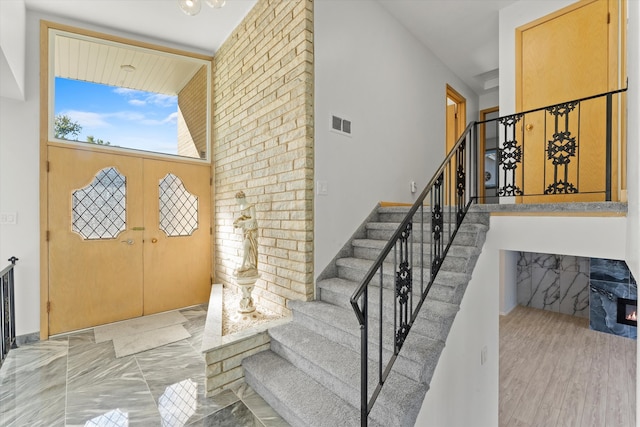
[463,392]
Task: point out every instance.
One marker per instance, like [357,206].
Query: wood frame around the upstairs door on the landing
[617,76]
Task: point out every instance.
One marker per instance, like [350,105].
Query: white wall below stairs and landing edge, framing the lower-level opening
[459,372]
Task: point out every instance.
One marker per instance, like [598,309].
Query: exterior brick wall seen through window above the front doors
[192,116]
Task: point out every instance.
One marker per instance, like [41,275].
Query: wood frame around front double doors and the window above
[46,109]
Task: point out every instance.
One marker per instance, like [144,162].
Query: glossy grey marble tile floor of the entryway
[70,380]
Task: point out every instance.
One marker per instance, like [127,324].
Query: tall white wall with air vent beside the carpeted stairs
[369,69]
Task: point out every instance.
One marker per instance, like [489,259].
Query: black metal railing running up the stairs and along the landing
[447,197]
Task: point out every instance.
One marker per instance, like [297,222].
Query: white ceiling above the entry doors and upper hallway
[462,33]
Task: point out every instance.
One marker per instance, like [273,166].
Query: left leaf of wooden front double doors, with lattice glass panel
[95,257]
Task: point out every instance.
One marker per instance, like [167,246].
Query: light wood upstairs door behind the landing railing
[563,57]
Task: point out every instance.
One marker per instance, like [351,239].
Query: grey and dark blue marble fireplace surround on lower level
[577,286]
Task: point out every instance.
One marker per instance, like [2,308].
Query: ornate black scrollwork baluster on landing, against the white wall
[510,154]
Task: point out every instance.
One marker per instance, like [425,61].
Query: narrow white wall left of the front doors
[19,184]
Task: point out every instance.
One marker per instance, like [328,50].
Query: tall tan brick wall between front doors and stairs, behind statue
[263,145]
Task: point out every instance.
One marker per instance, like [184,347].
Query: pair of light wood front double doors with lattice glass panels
[128,236]
